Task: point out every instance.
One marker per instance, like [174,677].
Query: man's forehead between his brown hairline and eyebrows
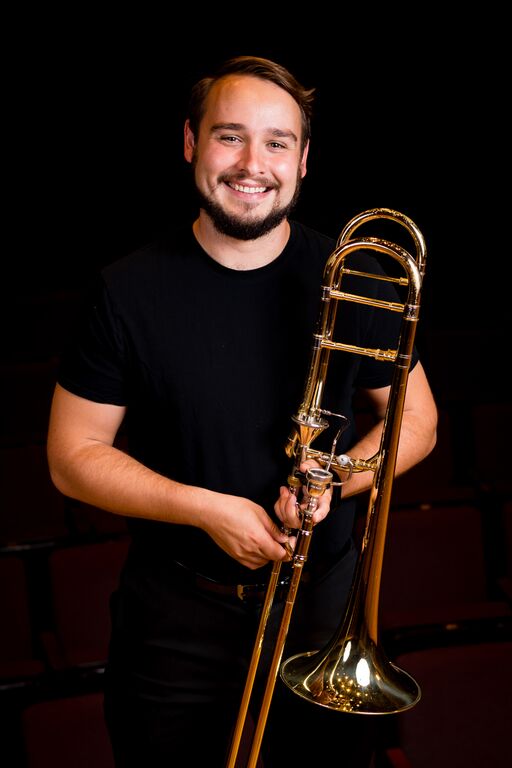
[252,102]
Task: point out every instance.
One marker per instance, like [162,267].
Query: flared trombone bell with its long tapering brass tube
[352,673]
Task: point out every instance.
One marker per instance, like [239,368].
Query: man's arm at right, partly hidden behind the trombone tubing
[417,439]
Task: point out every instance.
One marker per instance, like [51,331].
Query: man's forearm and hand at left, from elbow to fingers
[106,477]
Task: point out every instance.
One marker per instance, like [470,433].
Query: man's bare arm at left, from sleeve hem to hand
[84,464]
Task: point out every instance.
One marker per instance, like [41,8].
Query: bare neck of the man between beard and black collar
[240,254]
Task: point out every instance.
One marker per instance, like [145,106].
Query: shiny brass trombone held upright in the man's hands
[351,673]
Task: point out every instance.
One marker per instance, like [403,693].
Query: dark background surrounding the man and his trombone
[412,114]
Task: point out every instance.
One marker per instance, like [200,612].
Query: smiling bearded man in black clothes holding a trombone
[199,346]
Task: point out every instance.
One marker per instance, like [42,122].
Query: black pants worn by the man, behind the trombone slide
[173,694]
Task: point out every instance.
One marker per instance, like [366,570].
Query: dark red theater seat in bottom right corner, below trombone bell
[463,717]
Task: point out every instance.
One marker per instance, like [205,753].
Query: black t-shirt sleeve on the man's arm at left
[94,365]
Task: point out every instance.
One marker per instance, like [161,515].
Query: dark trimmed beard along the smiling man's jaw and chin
[240,228]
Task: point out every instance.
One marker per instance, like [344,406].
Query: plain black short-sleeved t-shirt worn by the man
[211,364]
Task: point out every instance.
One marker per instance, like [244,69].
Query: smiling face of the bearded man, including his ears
[247,159]
